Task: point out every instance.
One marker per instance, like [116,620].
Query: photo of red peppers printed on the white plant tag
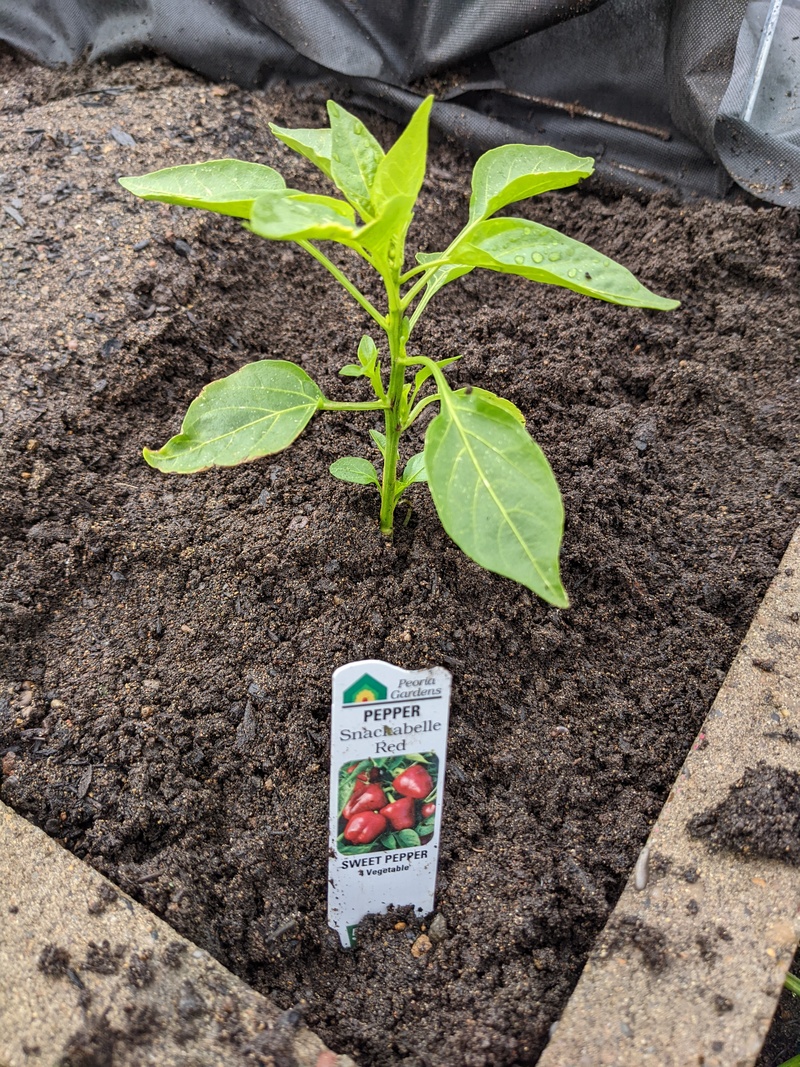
[388,803]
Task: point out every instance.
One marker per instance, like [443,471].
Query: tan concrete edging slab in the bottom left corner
[88,976]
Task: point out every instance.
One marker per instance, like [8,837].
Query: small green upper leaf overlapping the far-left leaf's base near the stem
[291,216]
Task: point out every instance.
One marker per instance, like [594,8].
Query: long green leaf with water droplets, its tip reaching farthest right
[536,252]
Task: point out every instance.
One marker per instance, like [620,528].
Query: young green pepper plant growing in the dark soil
[491,484]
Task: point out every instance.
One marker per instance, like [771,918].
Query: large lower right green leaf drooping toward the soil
[495,493]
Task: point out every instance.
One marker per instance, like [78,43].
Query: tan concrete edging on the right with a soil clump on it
[693,961]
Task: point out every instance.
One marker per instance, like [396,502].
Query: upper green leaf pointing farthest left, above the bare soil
[228,186]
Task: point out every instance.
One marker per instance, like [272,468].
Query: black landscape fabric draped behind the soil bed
[696,95]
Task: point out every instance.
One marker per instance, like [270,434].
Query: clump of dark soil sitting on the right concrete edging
[760,817]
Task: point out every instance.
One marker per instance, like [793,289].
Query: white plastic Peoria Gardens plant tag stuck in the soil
[388,773]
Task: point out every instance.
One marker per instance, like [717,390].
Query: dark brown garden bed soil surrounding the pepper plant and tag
[169,643]
